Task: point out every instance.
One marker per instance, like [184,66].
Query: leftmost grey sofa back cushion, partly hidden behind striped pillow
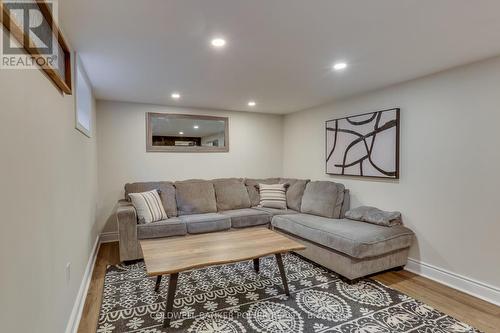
[166,190]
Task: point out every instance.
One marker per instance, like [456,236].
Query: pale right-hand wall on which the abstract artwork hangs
[450,157]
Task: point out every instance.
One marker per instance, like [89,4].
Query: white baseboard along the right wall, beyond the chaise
[467,285]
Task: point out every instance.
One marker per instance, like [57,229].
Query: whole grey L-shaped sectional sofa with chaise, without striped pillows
[315,217]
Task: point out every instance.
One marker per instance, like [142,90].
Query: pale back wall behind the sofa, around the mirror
[255,150]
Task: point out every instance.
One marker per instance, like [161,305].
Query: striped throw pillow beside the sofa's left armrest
[148,206]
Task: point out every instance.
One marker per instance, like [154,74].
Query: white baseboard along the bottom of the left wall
[76,312]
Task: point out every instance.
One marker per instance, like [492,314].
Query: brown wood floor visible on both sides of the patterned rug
[481,314]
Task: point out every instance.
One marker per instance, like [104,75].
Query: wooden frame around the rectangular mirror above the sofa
[184,149]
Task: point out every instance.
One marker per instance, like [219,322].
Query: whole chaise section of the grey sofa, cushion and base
[353,249]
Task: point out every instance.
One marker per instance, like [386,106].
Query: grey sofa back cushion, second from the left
[195,197]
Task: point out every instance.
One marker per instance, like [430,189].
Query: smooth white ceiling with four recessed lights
[278,53]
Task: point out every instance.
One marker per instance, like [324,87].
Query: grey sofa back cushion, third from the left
[231,194]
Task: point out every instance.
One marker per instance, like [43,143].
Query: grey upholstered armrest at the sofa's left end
[127,231]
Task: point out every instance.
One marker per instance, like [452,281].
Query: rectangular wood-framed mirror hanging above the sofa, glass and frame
[168,132]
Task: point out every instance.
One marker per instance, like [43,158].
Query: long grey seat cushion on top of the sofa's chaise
[356,239]
